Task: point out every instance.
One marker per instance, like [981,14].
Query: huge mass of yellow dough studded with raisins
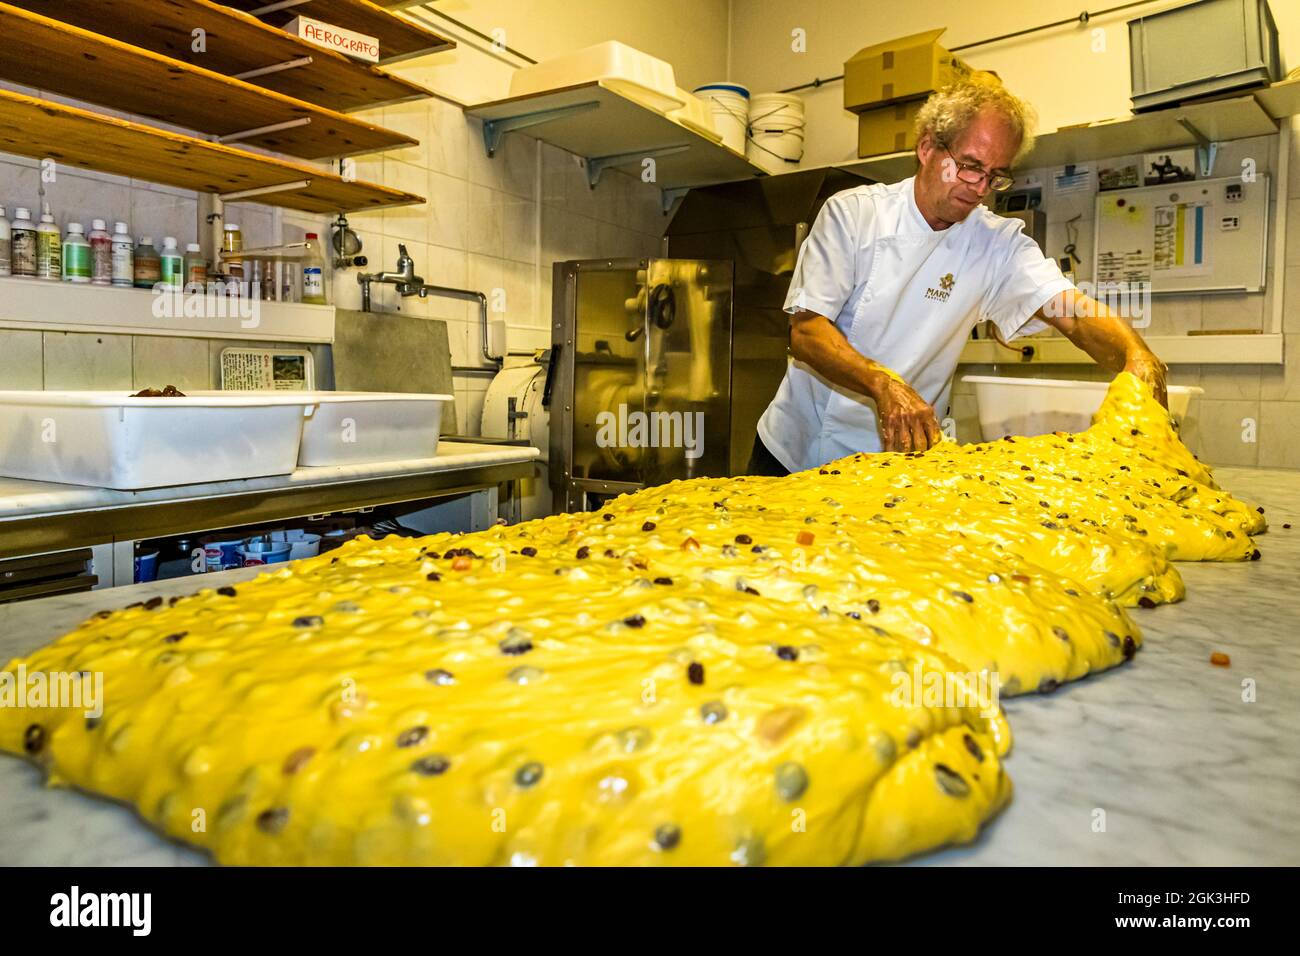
[742,671]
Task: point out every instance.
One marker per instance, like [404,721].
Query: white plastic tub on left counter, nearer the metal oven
[367,427]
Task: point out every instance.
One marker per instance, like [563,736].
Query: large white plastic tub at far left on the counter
[110,440]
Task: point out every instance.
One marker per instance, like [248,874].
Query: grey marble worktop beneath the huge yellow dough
[1185,772]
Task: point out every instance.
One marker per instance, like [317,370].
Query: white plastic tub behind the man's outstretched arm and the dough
[1039,406]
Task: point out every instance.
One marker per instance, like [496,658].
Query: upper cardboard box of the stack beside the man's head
[898,71]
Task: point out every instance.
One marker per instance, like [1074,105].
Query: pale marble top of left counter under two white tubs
[23,499]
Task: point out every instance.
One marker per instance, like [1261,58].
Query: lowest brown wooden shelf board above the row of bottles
[41,129]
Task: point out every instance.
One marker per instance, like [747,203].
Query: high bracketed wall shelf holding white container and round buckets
[610,131]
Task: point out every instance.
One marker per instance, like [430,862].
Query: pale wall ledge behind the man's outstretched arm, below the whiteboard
[1175,351]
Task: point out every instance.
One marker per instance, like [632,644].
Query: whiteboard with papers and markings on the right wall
[1206,236]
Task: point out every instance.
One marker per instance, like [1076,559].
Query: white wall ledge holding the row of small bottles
[32,304]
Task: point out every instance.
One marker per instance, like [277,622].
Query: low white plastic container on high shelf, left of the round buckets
[614,64]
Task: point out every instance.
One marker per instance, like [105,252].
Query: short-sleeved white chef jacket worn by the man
[905,296]
